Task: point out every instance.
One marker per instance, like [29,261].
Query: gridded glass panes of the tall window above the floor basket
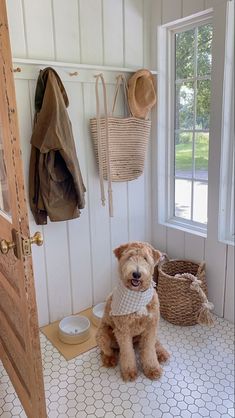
[192,112]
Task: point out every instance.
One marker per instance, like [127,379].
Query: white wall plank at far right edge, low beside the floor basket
[229,287]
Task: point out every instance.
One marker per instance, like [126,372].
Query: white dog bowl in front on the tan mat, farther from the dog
[74,329]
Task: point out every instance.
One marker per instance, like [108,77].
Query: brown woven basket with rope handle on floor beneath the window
[182,291]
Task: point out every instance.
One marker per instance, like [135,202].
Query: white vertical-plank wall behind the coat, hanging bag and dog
[76,267]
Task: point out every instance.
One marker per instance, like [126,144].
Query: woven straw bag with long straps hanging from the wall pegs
[120,143]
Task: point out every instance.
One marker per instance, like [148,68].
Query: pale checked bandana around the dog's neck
[126,301]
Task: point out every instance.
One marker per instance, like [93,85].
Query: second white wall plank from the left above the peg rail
[39,28]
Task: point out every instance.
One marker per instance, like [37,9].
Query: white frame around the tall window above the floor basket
[166,121]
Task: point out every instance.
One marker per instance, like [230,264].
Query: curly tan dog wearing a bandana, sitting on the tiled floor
[132,313]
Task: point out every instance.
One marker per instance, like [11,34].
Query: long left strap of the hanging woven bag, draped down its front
[101,171]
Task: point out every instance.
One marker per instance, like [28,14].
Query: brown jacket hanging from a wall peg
[56,187]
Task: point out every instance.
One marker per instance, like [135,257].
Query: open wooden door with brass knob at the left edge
[19,331]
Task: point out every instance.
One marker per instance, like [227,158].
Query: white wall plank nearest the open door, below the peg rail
[24,105]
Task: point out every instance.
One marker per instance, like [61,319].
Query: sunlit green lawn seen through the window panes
[183,157]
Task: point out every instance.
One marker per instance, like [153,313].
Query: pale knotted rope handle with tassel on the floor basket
[204,315]
